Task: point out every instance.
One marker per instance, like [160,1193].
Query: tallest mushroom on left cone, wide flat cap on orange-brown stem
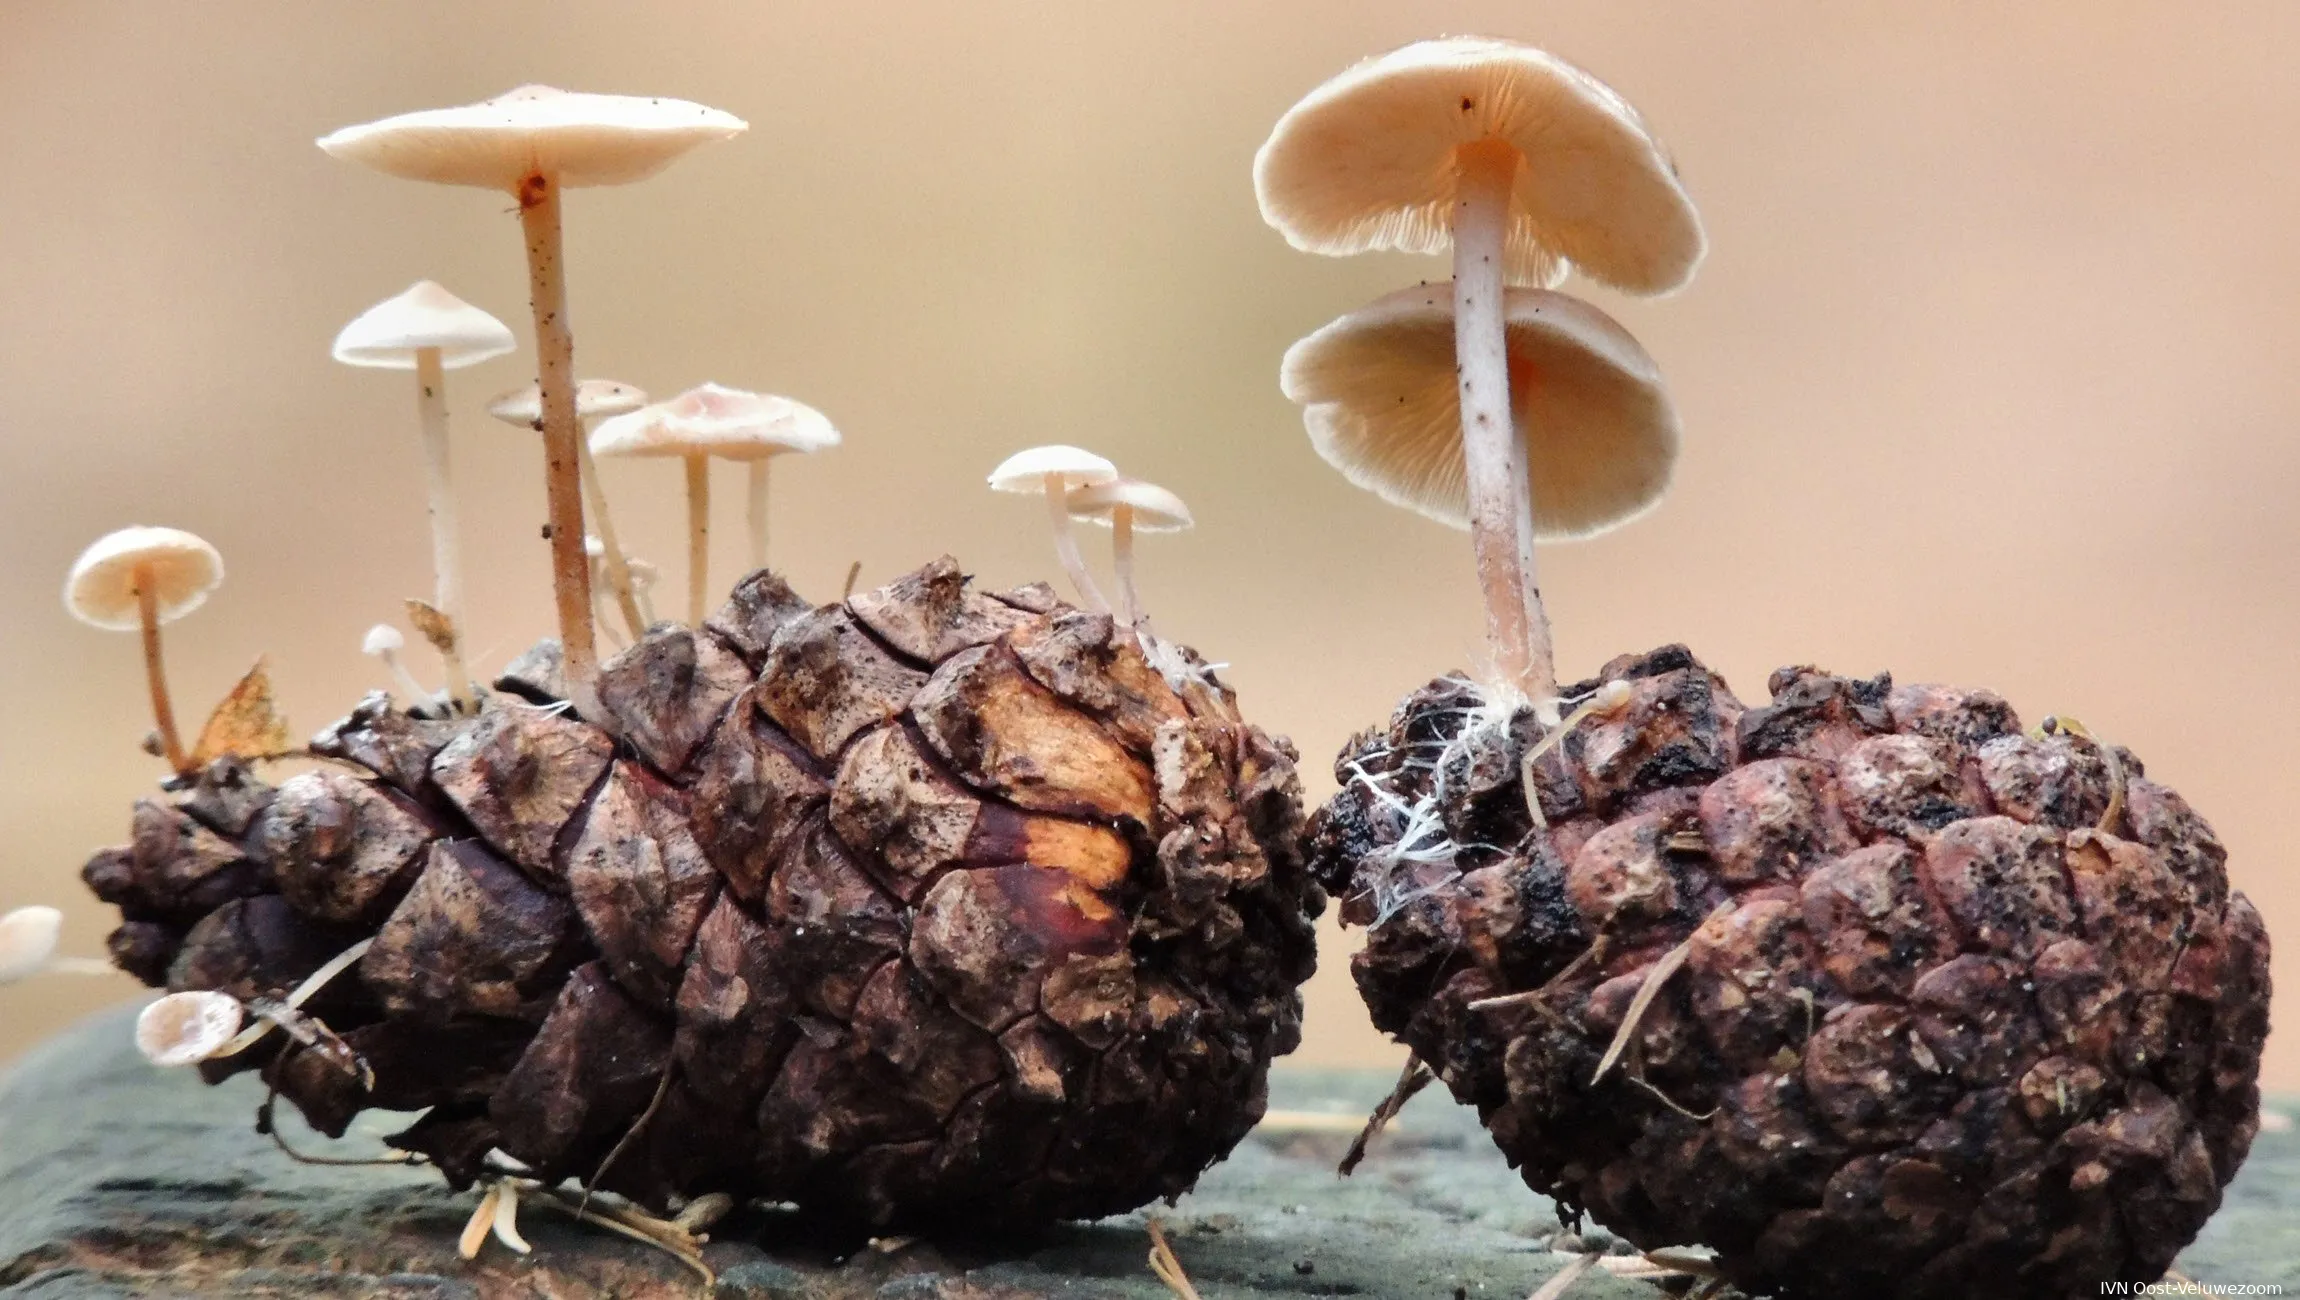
[535,144]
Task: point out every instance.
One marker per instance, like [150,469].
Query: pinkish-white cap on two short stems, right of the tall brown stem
[735,425]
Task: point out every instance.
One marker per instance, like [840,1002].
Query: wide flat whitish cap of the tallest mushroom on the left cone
[537,130]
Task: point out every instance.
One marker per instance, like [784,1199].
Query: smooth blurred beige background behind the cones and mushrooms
[1988,378]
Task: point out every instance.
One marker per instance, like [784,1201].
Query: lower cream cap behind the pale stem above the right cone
[1381,404]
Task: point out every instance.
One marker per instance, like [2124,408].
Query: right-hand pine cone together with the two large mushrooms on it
[1866,991]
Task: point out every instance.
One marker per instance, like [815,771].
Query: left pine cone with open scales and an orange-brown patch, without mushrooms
[933,908]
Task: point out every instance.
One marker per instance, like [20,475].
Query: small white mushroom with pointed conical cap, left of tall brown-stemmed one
[429,330]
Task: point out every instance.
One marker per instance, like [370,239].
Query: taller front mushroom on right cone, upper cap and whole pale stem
[1526,167]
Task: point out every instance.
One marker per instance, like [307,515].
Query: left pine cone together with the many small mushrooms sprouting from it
[930,905]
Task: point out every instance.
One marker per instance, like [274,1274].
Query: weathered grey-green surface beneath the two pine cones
[125,1182]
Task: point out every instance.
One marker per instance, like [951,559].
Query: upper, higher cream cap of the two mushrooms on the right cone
[1367,162]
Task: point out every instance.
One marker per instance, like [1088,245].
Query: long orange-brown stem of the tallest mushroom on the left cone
[562,454]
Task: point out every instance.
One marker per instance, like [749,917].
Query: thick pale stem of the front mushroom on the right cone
[1501,494]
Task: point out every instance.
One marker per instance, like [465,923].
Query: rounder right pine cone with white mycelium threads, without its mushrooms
[1961,1014]
